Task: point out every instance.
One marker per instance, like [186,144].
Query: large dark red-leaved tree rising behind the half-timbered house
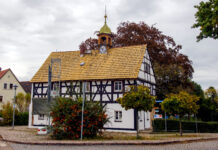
[173,70]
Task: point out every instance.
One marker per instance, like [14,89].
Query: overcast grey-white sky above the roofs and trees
[31,29]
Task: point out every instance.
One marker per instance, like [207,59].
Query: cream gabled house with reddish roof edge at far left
[7,81]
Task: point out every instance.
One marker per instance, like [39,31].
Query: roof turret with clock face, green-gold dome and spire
[104,37]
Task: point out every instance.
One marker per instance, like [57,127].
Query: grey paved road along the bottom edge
[209,145]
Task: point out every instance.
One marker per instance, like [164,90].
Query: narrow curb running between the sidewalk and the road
[85,143]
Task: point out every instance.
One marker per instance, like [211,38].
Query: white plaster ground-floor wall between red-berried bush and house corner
[127,117]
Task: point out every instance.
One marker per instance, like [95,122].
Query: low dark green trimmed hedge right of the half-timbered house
[187,126]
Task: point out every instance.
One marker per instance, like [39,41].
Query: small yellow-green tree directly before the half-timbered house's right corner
[138,98]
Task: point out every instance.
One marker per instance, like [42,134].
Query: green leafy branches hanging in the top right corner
[207,19]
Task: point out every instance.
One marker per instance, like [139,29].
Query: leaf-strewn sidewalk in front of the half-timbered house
[24,135]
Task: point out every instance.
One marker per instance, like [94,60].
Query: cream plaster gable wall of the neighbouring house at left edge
[8,94]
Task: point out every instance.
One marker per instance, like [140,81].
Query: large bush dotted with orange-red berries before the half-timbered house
[66,123]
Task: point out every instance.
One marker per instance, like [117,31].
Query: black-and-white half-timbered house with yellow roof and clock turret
[108,72]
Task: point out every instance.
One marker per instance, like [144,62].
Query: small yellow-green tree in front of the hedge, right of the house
[180,104]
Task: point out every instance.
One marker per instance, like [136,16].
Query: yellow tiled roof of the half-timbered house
[118,63]
